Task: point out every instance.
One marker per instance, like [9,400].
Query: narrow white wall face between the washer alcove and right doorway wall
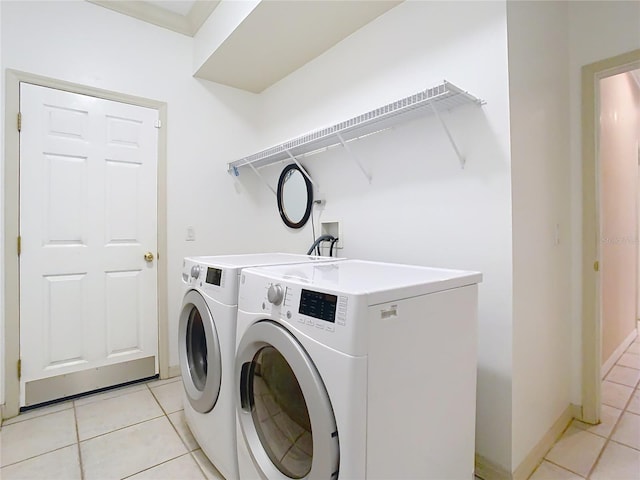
[539,106]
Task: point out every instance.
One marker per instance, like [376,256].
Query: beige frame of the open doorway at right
[591,288]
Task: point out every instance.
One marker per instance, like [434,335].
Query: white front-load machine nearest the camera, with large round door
[356,370]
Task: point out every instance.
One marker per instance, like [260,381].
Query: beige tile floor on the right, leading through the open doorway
[611,450]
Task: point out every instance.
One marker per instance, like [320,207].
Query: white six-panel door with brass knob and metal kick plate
[88,296]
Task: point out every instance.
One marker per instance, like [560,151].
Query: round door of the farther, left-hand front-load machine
[199,350]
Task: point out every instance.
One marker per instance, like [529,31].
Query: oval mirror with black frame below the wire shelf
[295,196]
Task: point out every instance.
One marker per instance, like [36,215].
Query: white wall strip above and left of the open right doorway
[597,30]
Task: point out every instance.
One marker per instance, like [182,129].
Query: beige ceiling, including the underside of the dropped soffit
[273,40]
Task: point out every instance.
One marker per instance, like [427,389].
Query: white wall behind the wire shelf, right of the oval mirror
[421,207]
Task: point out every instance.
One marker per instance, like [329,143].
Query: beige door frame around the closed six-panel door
[12,216]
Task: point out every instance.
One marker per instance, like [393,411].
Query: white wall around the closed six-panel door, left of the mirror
[207,123]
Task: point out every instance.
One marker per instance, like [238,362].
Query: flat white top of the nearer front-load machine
[380,282]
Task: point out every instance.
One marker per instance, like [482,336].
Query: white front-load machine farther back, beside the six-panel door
[206,343]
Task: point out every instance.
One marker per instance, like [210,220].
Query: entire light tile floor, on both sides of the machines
[139,432]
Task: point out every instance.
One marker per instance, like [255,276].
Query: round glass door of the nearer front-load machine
[284,410]
